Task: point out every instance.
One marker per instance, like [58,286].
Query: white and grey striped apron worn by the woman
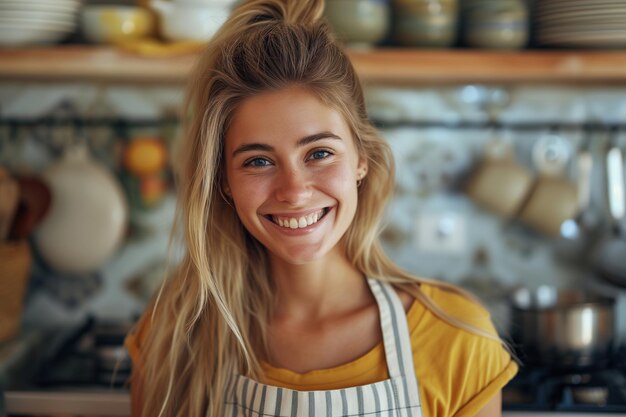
[397,396]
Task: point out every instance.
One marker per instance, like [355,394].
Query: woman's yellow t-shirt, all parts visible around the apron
[458,372]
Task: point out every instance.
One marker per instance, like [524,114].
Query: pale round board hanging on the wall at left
[88,215]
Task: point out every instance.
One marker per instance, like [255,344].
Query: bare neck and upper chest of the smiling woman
[319,289]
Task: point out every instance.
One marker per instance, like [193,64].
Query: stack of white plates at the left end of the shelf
[36,22]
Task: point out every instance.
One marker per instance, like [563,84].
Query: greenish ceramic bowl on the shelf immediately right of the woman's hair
[359,23]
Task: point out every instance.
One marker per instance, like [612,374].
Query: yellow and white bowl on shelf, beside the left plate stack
[109,24]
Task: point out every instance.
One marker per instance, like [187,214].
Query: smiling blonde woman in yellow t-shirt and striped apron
[284,303]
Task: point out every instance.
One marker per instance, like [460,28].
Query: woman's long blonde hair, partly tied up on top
[209,319]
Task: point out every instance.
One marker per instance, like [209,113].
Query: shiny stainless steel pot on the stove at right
[563,328]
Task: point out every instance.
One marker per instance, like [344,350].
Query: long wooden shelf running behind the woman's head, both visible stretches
[392,66]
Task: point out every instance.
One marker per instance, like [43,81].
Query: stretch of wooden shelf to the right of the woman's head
[398,66]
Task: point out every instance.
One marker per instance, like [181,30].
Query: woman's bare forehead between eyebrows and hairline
[289,113]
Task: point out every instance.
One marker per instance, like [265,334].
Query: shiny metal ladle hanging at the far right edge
[610,253]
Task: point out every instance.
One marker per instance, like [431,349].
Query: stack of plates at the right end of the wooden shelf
[582,23]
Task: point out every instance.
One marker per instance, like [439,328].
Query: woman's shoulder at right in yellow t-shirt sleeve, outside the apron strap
[459,367]
